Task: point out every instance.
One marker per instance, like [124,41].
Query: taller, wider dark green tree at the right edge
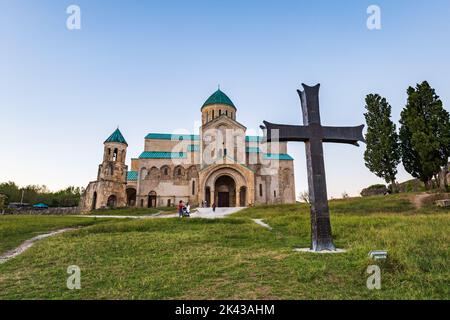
[424,133]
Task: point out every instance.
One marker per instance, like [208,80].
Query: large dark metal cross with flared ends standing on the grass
[313,134]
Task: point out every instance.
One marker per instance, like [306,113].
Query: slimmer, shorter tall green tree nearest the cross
[382,154]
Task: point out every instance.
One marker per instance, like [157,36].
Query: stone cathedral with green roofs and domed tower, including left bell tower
[221,165]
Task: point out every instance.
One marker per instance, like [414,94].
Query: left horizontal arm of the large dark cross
[283,133]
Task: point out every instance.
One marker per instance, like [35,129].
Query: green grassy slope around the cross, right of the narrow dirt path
[235,258]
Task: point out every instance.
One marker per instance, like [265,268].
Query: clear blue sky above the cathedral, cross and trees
[148,66]
